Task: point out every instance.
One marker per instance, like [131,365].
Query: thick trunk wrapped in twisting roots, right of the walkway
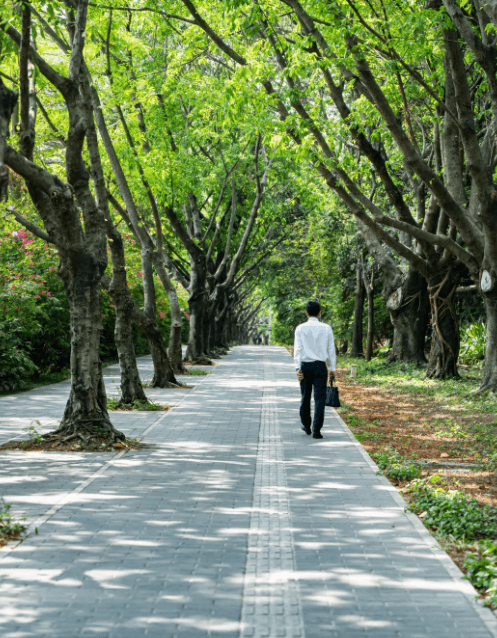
[445,326]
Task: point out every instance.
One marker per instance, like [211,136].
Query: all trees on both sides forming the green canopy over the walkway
[215,134]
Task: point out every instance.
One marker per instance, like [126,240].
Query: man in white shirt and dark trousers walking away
[315,361]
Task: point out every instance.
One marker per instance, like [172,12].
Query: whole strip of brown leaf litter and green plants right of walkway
[407,424]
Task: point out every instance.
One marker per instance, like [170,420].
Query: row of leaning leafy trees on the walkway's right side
[393,105]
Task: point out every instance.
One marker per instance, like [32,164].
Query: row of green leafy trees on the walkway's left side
[102,97]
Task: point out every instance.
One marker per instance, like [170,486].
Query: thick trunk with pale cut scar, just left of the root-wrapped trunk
[408,307]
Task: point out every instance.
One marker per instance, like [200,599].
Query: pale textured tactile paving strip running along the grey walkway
[271,600]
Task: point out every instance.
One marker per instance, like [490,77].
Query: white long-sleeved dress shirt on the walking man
[314,342]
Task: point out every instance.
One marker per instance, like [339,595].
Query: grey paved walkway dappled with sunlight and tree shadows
[234,523]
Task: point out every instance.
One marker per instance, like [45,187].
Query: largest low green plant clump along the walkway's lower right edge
[450,512]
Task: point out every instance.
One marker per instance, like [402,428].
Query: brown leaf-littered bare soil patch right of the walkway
[419,427]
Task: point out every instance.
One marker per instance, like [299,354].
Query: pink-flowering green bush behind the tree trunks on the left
[34,312]
